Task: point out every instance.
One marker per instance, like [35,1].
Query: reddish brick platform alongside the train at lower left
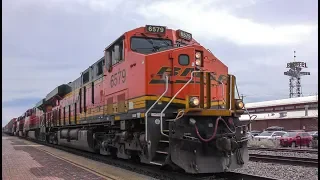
[22,159]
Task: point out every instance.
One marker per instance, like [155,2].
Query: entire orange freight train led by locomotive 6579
[156,95]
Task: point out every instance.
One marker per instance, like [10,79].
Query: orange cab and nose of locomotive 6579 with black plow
[191,109]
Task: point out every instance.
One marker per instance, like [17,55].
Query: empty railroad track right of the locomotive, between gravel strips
[284,160]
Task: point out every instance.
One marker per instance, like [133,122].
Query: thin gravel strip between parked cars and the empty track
[288,154]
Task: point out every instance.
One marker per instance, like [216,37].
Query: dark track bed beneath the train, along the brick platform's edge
[153,171]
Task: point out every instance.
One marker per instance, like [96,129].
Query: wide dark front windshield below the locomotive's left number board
[147,45]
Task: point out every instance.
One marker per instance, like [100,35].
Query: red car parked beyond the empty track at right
[295,139]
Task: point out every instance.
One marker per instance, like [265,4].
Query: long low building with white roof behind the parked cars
[299,113]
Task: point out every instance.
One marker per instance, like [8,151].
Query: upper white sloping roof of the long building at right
[298,100]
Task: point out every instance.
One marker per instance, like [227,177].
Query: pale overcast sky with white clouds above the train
[48,43]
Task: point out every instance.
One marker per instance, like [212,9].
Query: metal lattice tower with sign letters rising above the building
[294,72]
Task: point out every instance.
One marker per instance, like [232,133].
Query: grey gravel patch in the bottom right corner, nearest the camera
[278,171]
